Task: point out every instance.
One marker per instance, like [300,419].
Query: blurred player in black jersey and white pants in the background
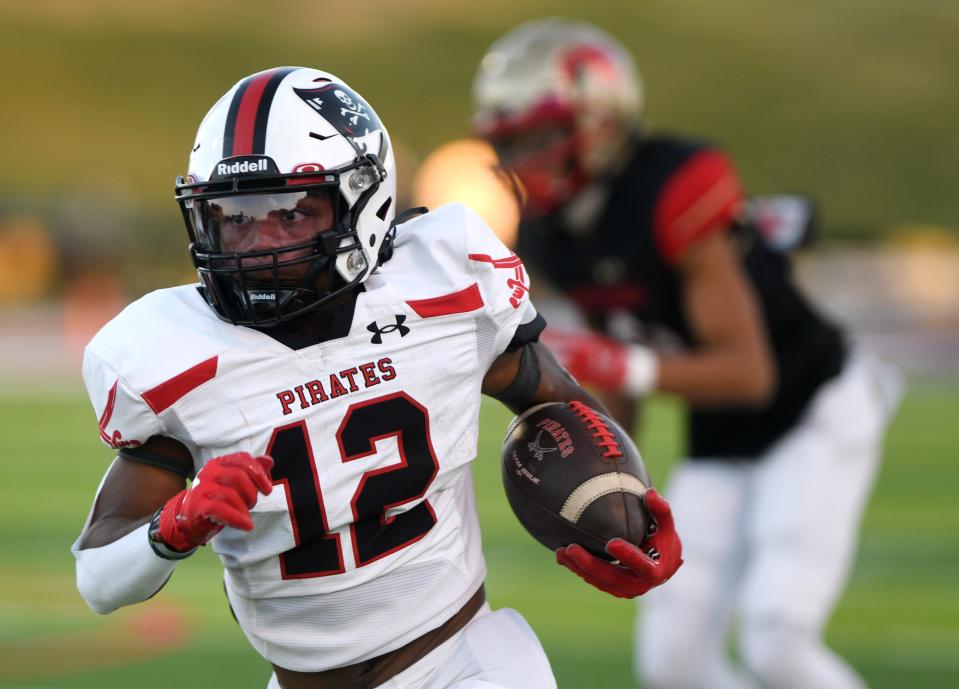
[686,291]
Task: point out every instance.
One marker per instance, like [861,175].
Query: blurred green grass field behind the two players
[898,622]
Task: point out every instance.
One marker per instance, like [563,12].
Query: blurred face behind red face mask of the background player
[543,160]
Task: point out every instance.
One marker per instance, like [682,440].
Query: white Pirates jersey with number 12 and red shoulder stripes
[370,536]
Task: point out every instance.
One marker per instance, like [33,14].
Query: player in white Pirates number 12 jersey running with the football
[321,385]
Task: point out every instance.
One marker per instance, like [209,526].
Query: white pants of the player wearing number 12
[495,650]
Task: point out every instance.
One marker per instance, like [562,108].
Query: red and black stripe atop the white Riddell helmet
[245,131]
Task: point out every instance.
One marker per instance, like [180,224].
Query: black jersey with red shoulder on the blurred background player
[673,192]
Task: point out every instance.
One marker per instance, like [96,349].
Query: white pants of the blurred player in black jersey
[770,544]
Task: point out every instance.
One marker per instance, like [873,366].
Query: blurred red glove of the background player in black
[593,359]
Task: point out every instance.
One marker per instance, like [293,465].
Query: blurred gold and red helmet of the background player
[560,100]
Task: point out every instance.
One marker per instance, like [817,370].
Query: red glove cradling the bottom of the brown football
[639,569]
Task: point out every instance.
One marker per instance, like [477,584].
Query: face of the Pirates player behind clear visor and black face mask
[270,222]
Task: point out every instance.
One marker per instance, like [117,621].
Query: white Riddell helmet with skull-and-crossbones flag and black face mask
[290,197]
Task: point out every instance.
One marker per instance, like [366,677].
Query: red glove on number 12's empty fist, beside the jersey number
[221,495]
